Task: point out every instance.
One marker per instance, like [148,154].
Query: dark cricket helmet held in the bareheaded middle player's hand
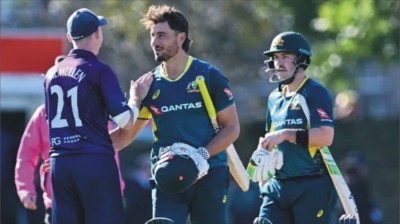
[175,174]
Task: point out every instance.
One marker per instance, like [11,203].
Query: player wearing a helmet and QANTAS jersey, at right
[299,121]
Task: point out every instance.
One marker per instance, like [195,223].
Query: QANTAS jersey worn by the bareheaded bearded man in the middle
[177,108]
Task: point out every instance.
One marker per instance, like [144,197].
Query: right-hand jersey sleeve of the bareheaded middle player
[220,90]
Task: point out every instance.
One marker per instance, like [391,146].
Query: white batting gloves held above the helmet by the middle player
[199,156]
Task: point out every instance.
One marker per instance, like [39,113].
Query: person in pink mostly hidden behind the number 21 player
[34,146]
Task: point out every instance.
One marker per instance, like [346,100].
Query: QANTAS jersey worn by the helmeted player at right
[310,106]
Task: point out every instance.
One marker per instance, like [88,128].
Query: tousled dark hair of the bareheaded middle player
[176,20]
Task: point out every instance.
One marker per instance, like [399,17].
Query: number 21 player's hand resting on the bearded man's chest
[140,88]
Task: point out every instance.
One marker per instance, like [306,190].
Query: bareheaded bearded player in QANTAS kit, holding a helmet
[175,105]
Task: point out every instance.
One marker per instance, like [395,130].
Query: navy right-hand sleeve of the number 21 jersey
[112,93]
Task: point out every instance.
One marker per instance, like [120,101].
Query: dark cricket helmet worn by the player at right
[290,42]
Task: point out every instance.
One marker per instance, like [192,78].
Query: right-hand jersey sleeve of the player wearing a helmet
[321,107]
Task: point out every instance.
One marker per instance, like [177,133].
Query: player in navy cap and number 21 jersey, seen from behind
[81,94]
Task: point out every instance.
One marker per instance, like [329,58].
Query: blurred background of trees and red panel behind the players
[355,45]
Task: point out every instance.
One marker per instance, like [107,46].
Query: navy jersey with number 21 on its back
[81,92]
